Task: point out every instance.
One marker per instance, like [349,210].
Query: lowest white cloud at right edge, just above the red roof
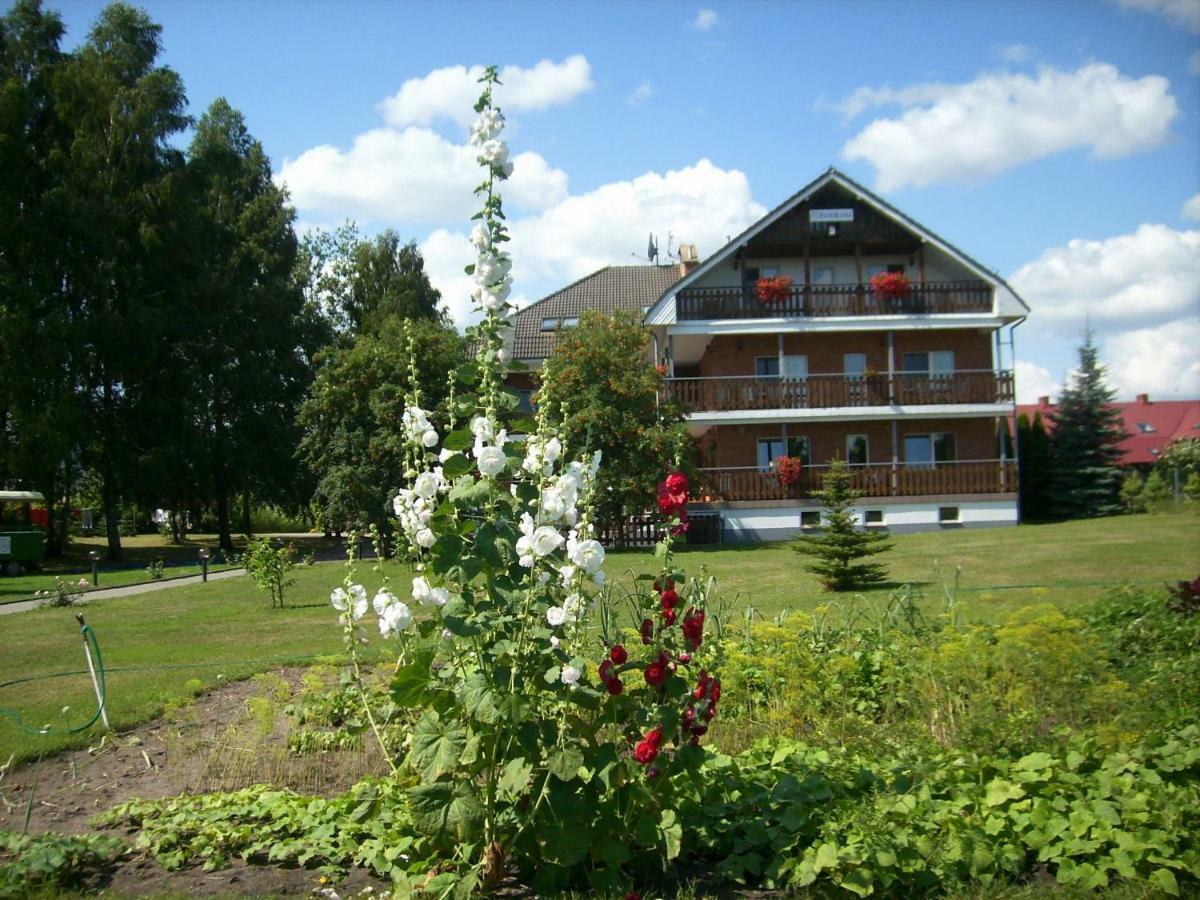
[1162,362]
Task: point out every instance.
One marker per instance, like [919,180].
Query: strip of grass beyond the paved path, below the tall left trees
[140,550]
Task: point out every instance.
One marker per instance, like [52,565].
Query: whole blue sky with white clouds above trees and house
[1057,142]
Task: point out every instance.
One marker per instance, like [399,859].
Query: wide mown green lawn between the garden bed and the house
[165,646]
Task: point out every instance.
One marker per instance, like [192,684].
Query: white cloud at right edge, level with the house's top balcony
[1149,278]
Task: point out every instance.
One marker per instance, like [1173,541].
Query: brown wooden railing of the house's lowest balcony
[903,481]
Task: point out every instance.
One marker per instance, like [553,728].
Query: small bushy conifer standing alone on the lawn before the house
[842,547]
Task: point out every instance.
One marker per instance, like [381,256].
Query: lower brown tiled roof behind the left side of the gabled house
[615,287]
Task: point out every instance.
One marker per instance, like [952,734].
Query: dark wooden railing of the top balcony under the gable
[820,301]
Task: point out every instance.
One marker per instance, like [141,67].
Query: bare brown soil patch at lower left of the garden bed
[226,740]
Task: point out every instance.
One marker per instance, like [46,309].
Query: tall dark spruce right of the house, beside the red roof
[1085,475]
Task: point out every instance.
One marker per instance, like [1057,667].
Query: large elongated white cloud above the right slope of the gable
[967,133]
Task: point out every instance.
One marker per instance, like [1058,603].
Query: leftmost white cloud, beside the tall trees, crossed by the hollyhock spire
[413,175]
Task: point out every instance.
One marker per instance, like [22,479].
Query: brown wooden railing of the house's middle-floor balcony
[825,392]
